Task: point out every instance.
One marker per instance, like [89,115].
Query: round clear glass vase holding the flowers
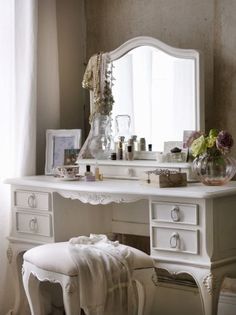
[214,169]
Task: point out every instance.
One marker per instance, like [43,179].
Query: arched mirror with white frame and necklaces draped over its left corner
[156,88]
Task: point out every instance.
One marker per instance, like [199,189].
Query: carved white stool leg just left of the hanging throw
[71,297]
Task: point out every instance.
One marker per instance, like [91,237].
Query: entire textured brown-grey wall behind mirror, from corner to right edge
[208,26]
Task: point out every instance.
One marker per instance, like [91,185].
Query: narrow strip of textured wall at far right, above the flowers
[225,66]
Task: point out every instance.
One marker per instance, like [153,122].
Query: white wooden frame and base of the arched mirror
[199,96]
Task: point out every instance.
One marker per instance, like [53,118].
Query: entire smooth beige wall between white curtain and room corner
[61,56]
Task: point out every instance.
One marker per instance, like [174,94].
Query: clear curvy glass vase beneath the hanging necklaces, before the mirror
[100,143]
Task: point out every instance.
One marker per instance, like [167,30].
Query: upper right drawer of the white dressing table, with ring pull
[174,213]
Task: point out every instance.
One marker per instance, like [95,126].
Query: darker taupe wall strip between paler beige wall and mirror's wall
[71,49]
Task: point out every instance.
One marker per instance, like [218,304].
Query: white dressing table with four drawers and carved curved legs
[192,229]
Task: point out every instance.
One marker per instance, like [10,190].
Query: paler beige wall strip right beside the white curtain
[48,95]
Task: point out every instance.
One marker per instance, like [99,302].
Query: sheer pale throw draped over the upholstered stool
[104,275]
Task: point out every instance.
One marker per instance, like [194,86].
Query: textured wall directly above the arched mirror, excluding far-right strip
[179,23]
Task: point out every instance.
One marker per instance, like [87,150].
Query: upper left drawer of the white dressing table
[32,200]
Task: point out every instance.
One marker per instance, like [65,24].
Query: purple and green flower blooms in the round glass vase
[215,143]
